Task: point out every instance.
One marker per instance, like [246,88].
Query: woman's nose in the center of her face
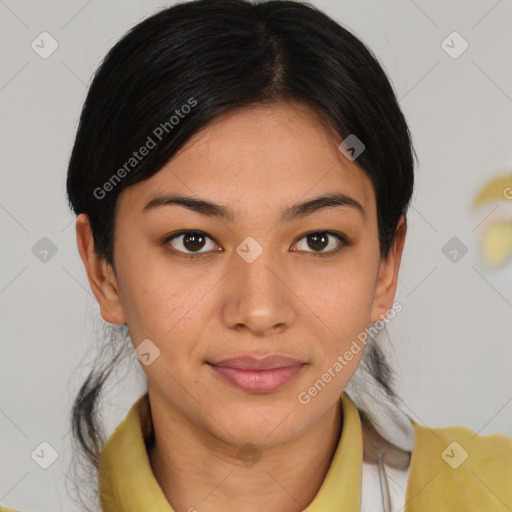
[258,298]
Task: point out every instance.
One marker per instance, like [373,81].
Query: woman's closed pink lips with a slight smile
[258,375]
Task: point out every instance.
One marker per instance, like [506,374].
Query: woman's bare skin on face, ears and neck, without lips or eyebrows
[289,301]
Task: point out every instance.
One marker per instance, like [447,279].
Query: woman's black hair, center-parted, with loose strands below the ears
[181,68]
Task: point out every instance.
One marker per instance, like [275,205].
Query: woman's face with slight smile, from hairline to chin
[265,278]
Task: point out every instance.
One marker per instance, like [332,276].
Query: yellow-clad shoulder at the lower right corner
[464,466]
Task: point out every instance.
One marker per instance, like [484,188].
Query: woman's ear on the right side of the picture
[387,279]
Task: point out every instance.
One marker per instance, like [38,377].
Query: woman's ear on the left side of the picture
[101,276]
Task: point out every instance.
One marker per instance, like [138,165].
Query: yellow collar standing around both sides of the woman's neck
[127,483]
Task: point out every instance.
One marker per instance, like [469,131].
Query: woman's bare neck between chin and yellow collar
[198,471]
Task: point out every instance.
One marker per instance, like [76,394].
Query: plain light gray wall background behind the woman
[452,340]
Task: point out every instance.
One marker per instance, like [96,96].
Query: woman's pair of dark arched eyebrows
[288,214]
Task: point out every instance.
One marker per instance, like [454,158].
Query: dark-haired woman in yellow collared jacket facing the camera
[241,176]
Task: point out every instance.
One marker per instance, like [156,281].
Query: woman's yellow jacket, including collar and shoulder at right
[452,469]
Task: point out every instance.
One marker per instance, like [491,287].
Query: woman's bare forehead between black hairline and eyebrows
[258,159]
